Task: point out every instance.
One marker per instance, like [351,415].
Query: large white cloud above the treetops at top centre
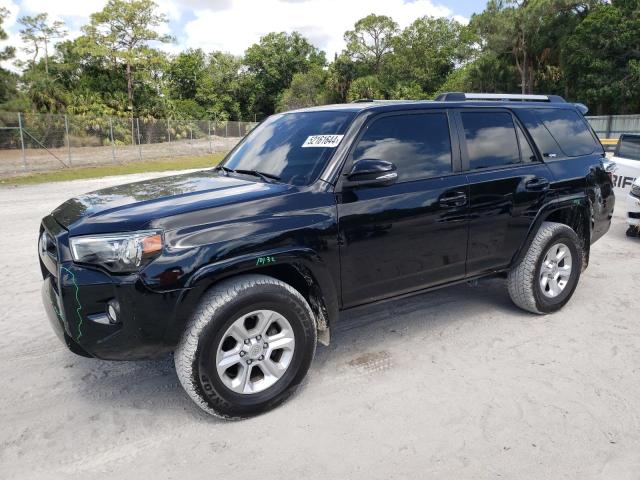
[243,22]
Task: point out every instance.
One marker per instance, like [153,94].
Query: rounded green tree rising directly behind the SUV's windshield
[274,61]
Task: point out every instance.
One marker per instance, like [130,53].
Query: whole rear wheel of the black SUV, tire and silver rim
[546,277]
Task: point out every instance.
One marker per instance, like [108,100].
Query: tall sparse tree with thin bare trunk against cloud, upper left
[121,32]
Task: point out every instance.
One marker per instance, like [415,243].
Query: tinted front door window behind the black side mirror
[419,145]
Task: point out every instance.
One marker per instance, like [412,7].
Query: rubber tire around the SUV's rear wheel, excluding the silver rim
[523,279]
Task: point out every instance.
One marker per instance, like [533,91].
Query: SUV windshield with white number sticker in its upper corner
[293,147]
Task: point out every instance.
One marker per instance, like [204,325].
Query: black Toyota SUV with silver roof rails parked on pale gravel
[240,269]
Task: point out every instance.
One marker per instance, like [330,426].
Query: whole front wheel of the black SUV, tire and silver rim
[247,347]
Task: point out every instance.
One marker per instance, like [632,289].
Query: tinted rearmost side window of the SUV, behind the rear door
[570,131]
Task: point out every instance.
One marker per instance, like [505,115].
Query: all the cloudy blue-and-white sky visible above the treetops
[234,25]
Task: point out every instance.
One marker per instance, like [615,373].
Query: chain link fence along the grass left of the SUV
[31,142]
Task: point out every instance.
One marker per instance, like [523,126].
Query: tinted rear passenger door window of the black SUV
[491,139]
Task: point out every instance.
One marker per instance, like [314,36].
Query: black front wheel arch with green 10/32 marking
[302,269]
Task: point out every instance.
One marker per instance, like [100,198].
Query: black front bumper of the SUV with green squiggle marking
[76,298]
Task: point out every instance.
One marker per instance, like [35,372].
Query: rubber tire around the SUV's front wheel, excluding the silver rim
[217,310]
